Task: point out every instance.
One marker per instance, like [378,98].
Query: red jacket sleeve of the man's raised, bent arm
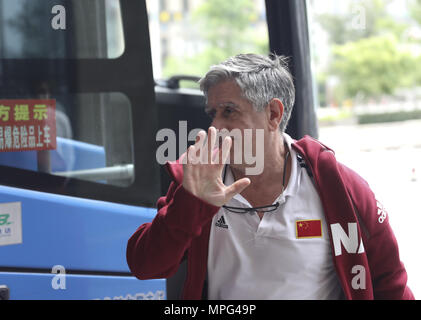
[156,249]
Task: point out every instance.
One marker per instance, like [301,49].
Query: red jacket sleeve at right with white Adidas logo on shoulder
[388,273]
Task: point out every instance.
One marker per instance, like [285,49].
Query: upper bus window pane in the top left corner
[38,29]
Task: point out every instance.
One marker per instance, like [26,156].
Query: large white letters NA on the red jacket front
[349,241]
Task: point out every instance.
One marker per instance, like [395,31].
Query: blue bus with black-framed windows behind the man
[67,212]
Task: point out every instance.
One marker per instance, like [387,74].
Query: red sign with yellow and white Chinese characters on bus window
[27,125]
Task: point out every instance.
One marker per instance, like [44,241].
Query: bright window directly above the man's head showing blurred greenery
[187,36]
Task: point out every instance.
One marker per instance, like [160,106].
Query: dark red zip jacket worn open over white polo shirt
[364,249]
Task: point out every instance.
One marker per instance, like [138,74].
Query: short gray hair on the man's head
[260,78]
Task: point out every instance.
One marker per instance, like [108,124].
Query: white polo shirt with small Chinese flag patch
[251,258]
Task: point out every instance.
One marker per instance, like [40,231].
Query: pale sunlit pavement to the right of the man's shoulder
[388,157]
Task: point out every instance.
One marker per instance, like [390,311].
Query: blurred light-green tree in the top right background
[370,61]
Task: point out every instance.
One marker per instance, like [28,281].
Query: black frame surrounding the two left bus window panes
[129,74]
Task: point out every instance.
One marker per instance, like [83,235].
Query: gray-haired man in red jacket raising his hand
[305,227]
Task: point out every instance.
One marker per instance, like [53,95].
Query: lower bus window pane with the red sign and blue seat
[83,150]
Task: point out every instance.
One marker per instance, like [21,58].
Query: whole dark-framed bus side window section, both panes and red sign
[95,73]
